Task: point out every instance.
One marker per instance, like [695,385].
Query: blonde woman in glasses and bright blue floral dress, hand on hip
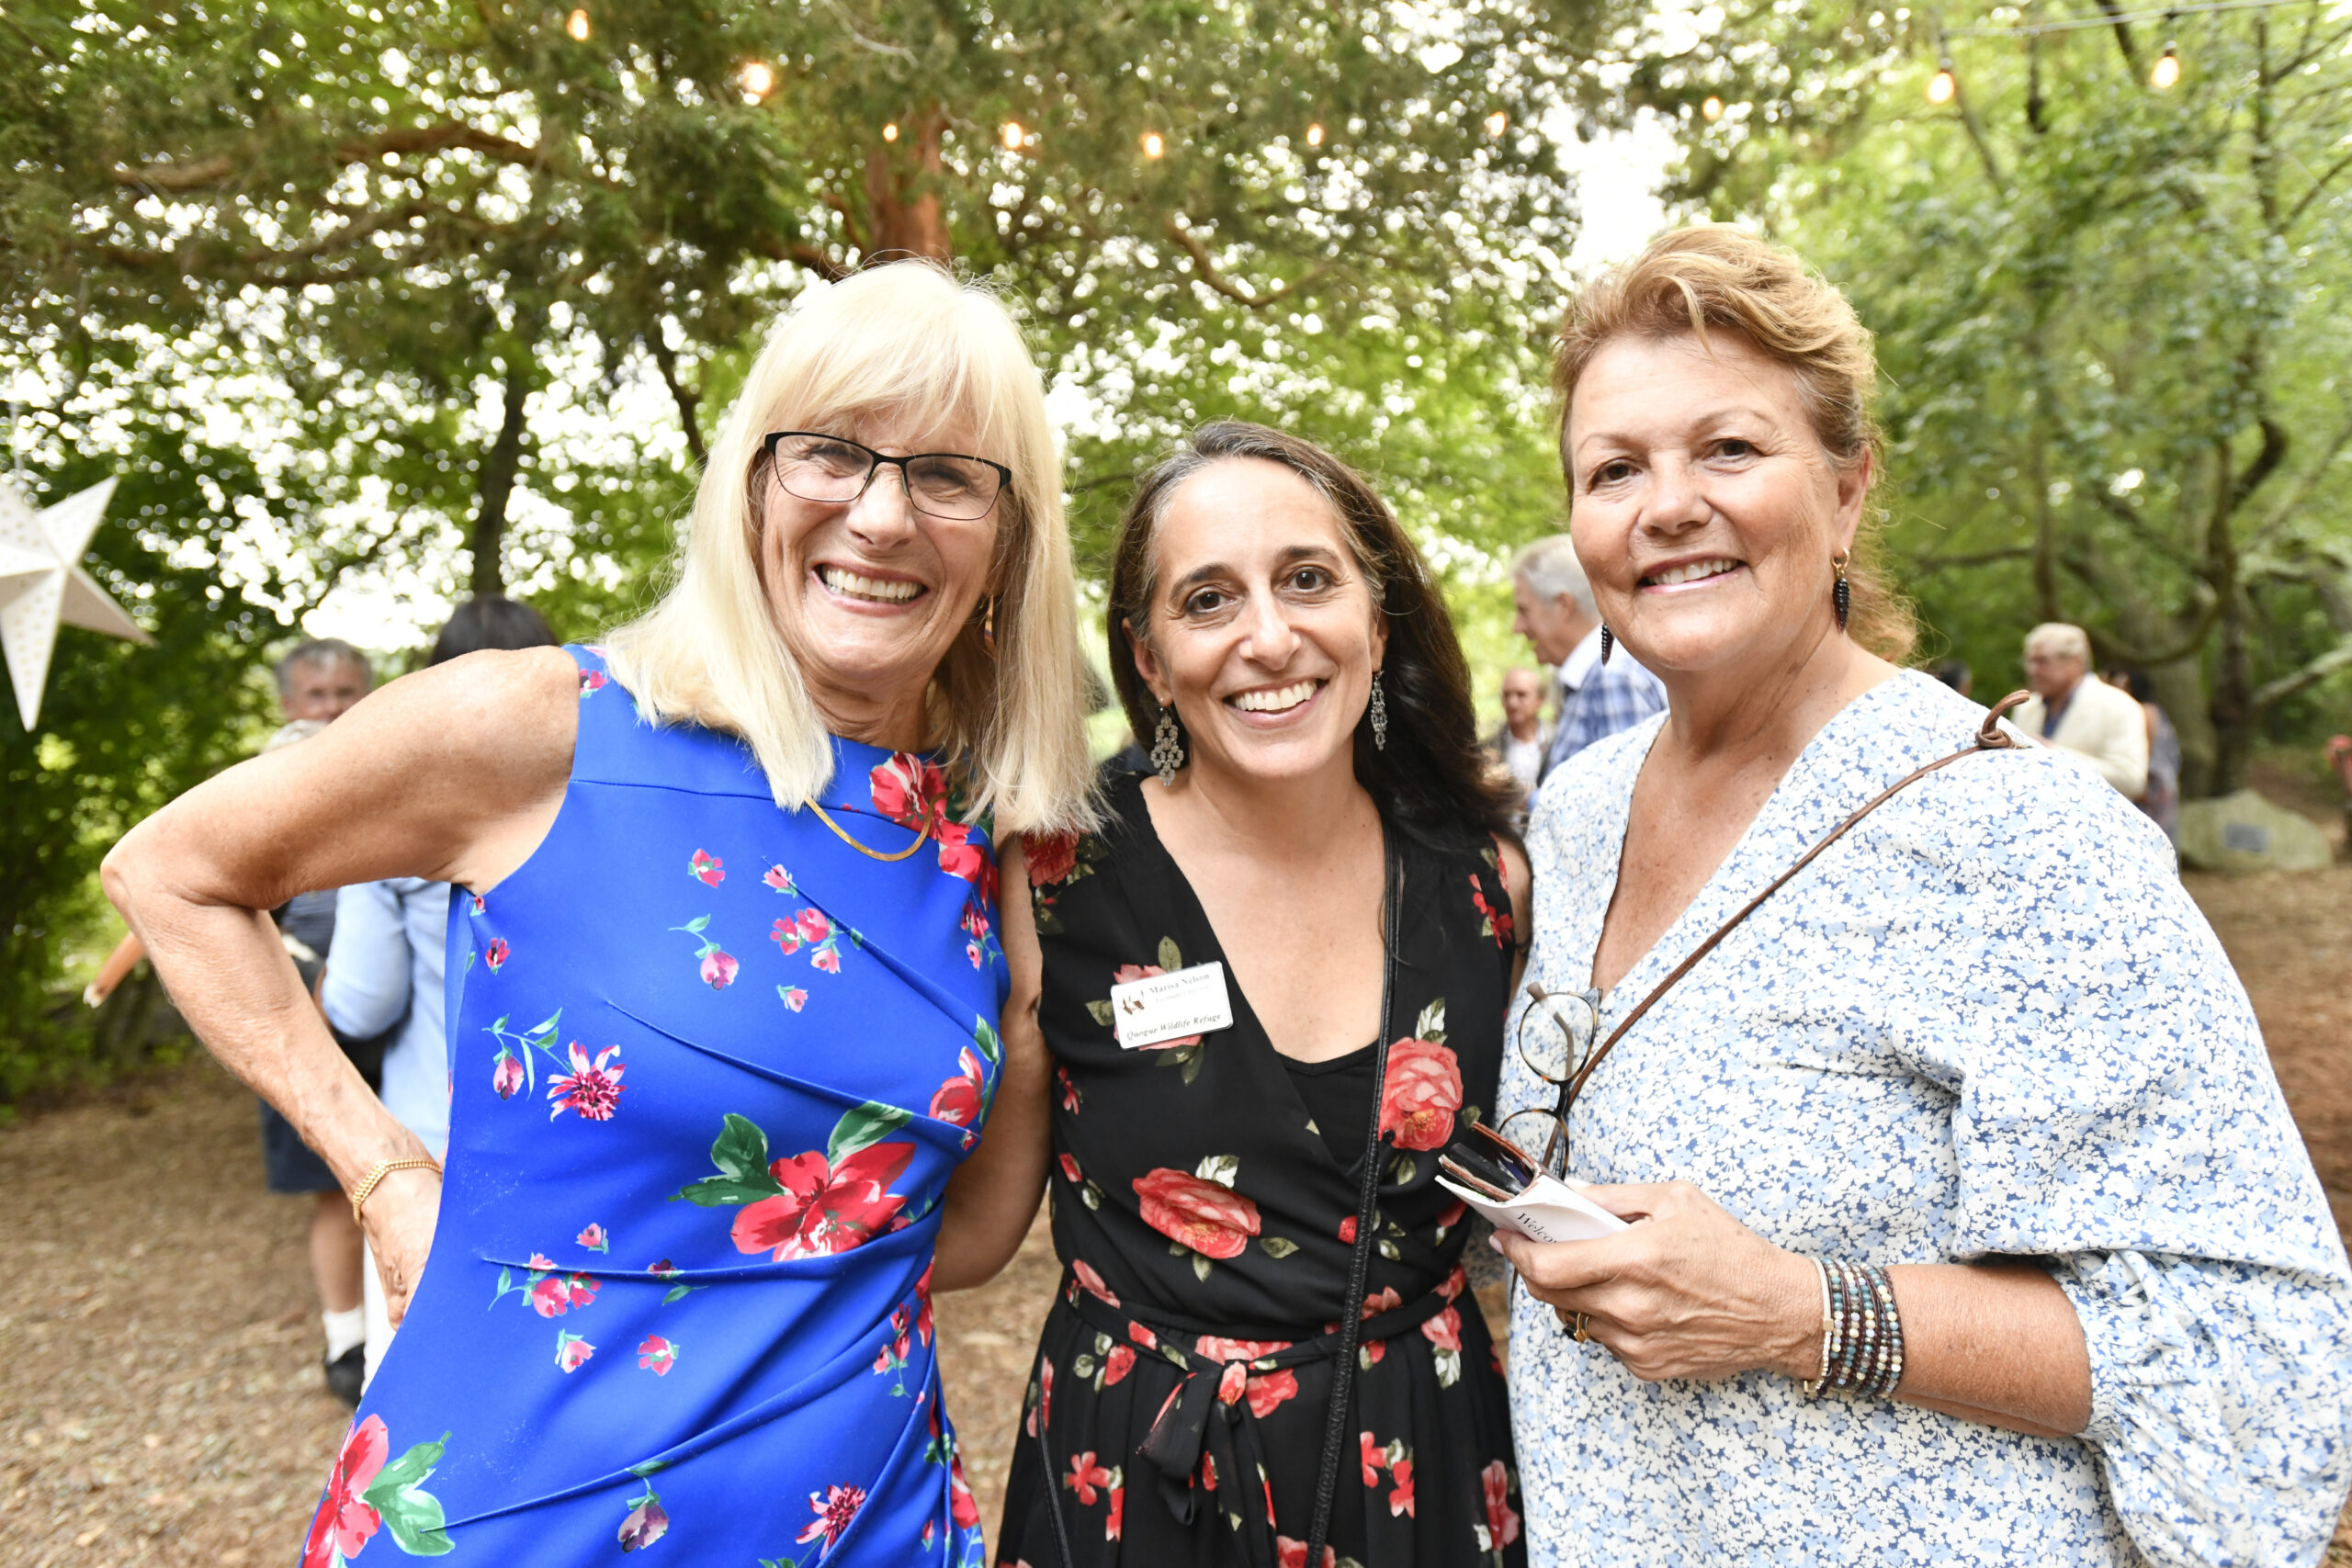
[726,981]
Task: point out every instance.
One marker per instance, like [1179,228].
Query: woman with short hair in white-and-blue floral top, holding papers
[1984,1052]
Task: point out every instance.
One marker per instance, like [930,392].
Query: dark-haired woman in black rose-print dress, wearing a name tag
[1278,638]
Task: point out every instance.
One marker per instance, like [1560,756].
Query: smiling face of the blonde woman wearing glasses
[871,594]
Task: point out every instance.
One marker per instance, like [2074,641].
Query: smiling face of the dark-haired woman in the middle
[1264,631]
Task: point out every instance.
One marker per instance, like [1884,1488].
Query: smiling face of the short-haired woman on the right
[1704,507]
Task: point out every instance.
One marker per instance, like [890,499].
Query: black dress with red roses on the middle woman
[1205,1228]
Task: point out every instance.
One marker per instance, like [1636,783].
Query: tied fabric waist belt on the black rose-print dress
[1212,1386]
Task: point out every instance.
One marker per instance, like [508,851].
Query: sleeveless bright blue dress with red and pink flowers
[711,1073]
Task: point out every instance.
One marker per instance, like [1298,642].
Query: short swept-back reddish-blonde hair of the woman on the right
[1713,276]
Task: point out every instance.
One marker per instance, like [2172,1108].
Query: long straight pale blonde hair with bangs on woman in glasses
[895,340]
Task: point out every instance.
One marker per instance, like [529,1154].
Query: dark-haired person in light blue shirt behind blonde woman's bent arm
[392,937]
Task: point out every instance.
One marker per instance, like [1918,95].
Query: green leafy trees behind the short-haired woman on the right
[2109,321]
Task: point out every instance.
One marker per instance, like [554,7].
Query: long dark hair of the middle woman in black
[1434,779]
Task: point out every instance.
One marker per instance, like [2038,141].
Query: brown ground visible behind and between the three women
[161,1398]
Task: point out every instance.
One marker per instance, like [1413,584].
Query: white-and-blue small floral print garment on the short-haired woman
[1986,1024]
